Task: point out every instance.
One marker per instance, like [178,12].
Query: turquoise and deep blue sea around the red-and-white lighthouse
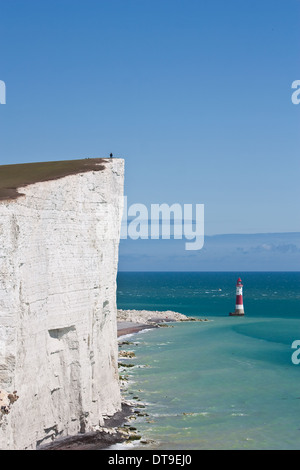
[220,384]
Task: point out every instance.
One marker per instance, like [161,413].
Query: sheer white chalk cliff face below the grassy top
[58,342]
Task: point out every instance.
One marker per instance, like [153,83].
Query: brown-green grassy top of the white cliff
[16,176]
